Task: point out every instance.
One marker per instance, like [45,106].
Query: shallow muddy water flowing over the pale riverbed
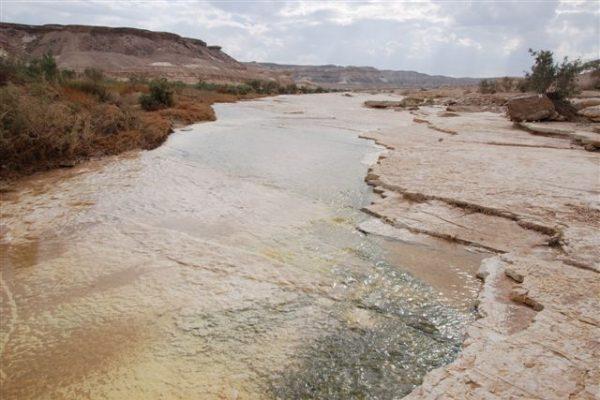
[225,264]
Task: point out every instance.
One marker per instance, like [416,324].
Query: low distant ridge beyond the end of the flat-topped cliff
[334,76]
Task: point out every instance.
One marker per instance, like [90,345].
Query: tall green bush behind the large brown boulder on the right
[546,76]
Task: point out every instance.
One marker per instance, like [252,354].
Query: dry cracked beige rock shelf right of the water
[532,200]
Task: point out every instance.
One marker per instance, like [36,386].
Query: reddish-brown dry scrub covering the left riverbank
[44,125]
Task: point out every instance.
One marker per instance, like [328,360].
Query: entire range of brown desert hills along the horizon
[122,52]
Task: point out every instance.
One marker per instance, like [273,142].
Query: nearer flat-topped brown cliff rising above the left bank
[123,51]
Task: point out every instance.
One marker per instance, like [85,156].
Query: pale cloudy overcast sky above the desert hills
[457,38]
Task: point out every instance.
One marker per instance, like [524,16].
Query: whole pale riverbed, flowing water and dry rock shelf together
[234,262]
